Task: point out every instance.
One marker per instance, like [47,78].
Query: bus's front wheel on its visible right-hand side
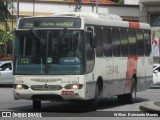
[94,102]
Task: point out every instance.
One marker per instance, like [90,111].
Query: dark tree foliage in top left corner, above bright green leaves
[4,12]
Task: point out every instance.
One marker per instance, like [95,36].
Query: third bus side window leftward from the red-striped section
[107,42]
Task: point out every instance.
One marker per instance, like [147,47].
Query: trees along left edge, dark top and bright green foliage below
[6,37]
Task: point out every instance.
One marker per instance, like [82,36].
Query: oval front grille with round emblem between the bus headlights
[46,88]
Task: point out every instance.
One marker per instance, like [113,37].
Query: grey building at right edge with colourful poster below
[150,13]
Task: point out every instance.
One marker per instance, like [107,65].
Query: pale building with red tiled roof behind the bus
[49,7]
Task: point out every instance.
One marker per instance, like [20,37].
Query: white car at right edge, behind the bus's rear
[156,75]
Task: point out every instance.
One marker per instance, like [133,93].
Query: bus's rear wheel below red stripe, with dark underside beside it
[130,97]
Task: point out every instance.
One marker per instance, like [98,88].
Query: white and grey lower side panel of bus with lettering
[114,74]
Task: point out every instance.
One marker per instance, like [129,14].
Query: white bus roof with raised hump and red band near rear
[101,19]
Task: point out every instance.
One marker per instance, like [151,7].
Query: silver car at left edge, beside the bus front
[6,72]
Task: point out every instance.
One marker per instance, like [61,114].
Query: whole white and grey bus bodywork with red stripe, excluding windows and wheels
[115,72]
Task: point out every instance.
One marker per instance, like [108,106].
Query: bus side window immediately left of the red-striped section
[124,41]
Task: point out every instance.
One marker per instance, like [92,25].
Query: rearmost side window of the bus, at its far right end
[147,41]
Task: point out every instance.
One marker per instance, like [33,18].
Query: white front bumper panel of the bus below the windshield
[41,82]
